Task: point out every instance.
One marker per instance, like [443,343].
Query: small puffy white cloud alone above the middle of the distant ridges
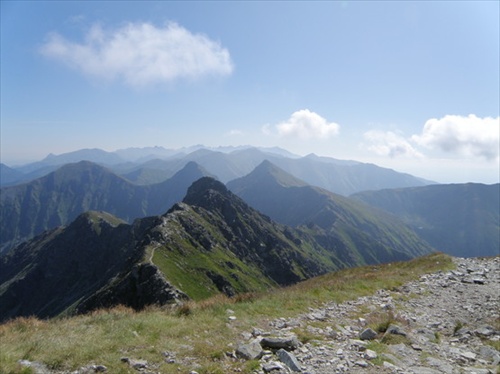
[304,124]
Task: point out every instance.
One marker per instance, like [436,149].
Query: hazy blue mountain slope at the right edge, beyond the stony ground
[459,219]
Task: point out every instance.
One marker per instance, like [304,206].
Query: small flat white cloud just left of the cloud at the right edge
[390,144]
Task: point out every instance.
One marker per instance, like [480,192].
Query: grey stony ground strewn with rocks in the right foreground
[447,322]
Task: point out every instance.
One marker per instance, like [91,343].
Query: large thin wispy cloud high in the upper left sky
[141,54]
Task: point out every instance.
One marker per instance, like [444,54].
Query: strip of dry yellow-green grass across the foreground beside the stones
[197,332]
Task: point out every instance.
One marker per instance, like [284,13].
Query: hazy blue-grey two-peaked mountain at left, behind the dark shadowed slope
[58,198]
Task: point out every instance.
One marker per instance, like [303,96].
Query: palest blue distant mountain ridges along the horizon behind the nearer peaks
[155,164]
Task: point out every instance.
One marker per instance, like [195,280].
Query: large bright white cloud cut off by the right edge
[469,136]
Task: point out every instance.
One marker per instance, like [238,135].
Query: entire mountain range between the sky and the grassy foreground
[87,236]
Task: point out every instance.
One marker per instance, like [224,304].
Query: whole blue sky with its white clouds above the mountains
[413,86]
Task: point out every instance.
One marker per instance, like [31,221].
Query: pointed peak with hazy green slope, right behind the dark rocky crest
[356,232]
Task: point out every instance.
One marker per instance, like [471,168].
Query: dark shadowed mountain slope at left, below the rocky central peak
[52,273]
